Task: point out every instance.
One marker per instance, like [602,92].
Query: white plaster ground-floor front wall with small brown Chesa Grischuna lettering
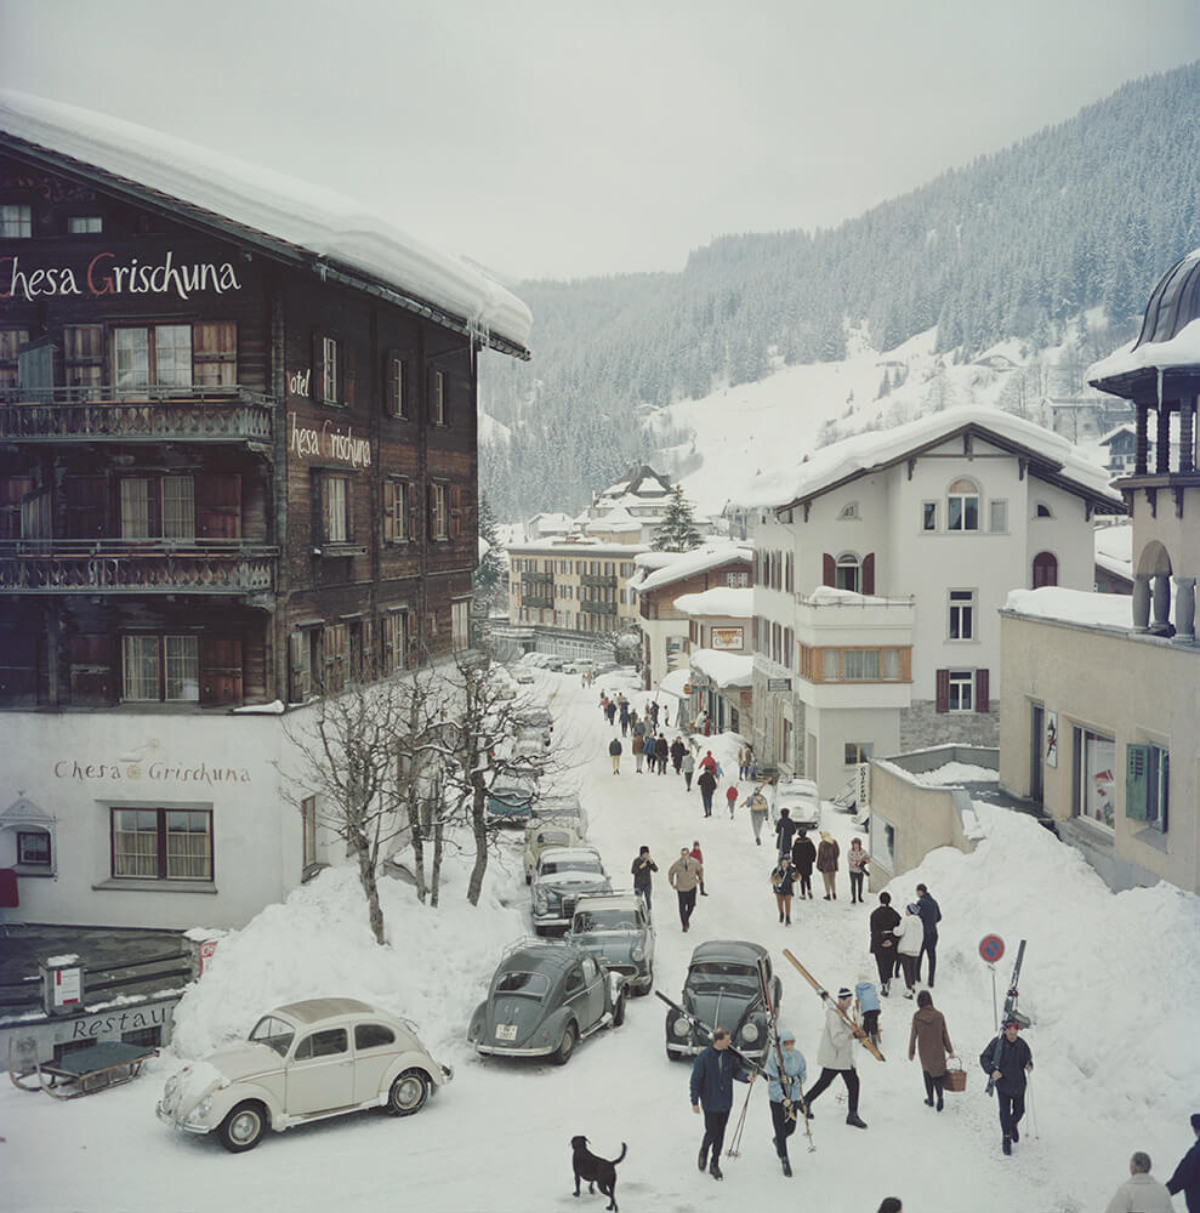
[76,766]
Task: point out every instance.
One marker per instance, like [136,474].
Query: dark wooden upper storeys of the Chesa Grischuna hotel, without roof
[226,477]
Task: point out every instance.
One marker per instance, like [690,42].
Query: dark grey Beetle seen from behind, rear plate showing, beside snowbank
[544,1000]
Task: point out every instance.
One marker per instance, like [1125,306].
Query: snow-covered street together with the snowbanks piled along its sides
[1112,984]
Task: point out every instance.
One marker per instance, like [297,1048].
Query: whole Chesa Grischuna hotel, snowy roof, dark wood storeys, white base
[238,468]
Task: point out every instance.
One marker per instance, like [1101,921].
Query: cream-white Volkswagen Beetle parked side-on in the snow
[306,1062]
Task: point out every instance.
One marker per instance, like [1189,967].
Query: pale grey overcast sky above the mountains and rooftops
[555,139]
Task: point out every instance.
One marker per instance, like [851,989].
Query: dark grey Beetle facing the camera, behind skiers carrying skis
[723,990]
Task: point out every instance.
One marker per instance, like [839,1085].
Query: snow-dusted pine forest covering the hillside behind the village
[1020,244]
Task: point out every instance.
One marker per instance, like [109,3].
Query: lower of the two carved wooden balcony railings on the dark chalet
[117,567]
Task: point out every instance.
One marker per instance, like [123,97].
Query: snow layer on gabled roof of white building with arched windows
[878,449]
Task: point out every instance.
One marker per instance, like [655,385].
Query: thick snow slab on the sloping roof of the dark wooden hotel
[316,219]
